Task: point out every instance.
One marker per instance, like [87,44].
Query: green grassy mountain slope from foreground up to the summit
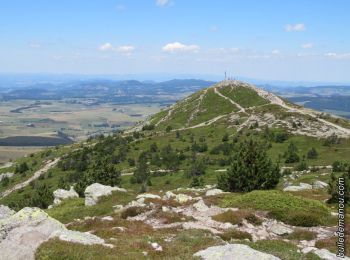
[207,126]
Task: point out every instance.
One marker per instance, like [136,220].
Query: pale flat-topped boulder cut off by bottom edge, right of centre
[233,251]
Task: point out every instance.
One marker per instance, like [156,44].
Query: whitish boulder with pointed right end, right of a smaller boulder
[95,191]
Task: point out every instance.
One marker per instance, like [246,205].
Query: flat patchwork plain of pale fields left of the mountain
[27,120]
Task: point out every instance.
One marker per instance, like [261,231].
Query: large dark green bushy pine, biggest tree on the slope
[251,169]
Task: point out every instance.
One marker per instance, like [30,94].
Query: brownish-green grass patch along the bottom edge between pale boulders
[183,245]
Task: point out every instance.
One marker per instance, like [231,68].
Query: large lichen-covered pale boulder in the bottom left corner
[23,232]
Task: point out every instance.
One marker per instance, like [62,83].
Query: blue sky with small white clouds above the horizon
[292,40]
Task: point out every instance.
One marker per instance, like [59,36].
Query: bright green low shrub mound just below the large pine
[283,206]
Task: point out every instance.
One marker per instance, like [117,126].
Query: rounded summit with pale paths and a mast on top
[241,105]
